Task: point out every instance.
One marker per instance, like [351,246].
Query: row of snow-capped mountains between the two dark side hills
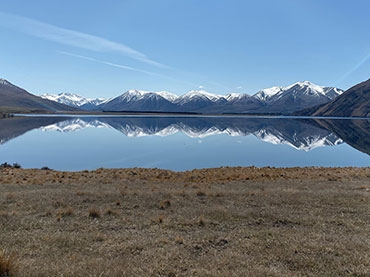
[284,100]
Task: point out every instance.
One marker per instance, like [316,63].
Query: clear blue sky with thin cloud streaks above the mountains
[103,48]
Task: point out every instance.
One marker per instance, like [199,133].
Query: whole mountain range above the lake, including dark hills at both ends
[302,98]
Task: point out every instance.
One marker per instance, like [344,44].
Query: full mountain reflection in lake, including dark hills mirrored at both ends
[304,134]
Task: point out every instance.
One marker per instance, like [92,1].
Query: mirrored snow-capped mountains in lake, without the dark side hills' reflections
[299,134]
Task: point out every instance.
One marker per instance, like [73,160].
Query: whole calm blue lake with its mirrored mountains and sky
[182,143]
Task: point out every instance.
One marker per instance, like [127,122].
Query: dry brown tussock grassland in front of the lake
[215,222]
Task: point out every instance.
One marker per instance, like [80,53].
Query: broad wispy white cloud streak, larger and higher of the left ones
[72,38]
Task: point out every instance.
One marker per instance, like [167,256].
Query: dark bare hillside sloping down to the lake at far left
[16,99]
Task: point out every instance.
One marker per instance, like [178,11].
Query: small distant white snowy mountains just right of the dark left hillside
[75,100]
